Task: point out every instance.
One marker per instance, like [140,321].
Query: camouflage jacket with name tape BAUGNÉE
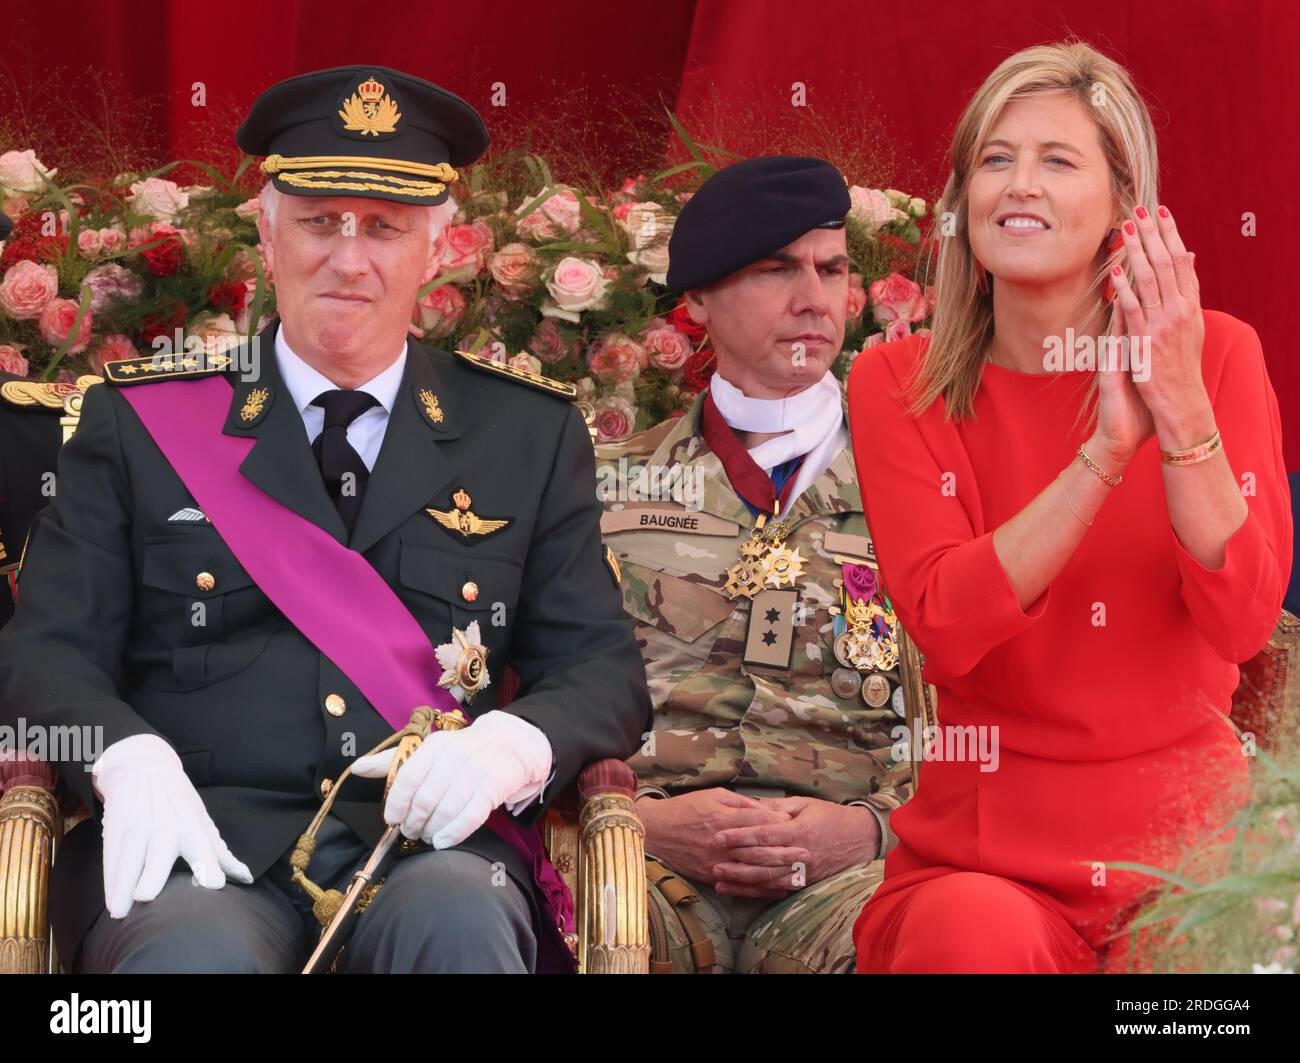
[721,722]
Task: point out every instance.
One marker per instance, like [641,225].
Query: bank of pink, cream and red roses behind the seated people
[557,279]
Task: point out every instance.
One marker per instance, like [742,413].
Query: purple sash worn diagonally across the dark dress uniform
[383,650]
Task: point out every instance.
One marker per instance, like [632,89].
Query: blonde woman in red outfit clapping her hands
[1084,556]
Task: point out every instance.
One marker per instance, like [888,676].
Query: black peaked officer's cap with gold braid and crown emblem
[366,132]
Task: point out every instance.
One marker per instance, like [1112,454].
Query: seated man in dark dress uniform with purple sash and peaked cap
[252,559]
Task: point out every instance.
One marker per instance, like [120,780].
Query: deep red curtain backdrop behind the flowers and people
[1221,79]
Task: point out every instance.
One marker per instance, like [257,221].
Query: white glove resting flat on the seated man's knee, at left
[153,814]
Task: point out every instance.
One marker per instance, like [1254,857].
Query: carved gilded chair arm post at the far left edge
[29,823]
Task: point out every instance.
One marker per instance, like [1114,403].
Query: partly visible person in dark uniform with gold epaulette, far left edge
[29,446]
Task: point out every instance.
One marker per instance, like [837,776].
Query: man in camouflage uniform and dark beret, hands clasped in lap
[770,647]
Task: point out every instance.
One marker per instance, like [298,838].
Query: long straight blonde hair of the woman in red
[963,323]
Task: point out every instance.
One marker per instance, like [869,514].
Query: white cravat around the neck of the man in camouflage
[813,422]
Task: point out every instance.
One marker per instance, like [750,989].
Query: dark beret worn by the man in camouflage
[751,210]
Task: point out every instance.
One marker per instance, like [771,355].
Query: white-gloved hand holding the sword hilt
[456,779]
